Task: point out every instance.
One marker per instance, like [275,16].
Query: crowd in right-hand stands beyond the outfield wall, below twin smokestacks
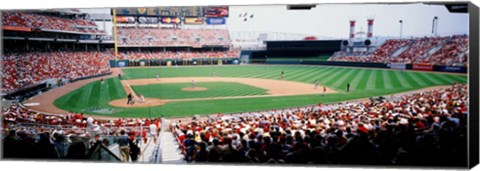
[416,50]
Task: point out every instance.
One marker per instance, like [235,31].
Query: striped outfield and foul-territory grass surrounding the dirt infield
[363,83]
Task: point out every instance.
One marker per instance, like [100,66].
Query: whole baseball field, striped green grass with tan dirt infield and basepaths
[185,91]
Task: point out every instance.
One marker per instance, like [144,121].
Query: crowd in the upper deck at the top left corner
[40,21]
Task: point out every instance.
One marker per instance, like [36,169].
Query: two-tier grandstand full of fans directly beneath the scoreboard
[167,43]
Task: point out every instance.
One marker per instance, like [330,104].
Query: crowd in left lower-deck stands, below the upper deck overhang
[30,68]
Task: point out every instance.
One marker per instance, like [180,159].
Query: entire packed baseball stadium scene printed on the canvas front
[231,84]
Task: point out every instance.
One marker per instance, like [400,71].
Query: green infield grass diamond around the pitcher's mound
[214,89]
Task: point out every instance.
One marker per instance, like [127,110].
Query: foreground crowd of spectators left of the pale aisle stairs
[28,134]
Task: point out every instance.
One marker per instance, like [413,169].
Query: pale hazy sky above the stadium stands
[332,20]
